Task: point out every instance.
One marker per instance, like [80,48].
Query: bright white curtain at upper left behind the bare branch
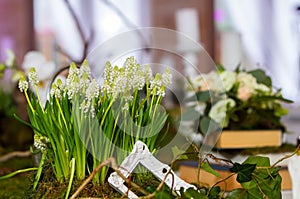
[99,19]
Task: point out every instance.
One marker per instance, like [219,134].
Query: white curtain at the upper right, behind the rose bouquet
[270,36]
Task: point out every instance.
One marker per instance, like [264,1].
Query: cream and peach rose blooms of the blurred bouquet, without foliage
[243,85]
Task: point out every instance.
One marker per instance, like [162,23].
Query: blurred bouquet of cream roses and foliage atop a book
[237,100]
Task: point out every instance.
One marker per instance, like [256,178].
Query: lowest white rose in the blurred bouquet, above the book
[218,111]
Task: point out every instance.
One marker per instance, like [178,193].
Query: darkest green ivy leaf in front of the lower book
[244,171]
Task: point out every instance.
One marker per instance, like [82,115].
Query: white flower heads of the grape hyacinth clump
[117,82]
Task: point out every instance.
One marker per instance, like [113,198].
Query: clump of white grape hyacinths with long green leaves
[83,123]
